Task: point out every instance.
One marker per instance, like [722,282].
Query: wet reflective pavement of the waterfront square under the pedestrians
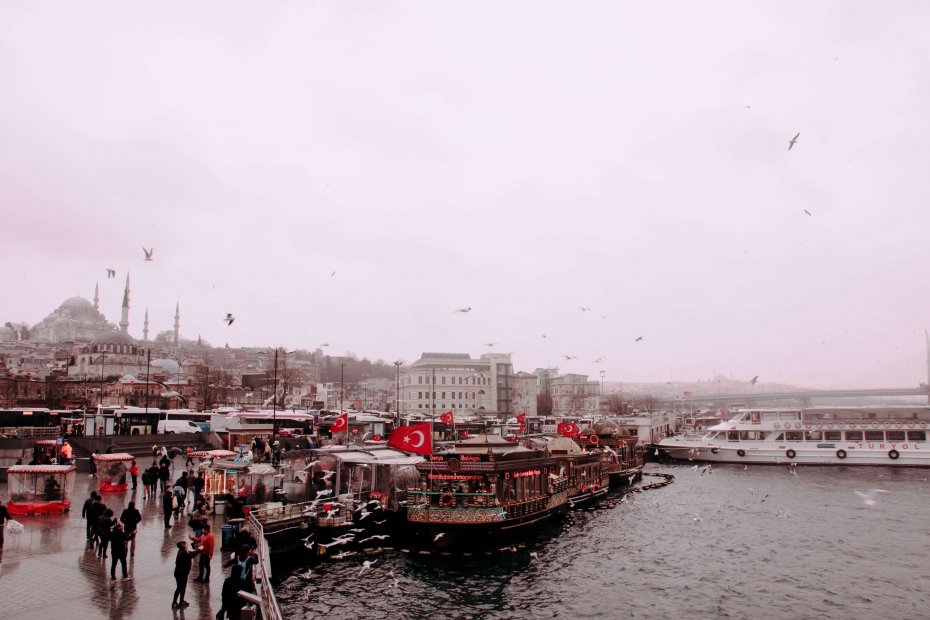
[49,571]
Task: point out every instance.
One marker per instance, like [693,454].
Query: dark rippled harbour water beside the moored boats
[703,547]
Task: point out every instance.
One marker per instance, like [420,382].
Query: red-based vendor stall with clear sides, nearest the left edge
[40,489]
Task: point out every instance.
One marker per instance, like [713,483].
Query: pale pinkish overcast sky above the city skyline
[524,159]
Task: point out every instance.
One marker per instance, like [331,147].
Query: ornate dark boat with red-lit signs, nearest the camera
[484,491]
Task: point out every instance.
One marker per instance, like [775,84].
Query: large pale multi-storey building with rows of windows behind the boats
[439,382]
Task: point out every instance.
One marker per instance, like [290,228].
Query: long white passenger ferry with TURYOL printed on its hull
[816,436]
